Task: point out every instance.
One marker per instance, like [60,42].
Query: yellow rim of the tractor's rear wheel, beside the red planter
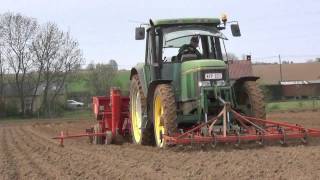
[136,116]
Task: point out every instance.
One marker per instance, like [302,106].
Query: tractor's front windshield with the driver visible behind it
[191,42]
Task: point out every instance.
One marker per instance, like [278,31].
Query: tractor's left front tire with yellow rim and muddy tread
[164,113]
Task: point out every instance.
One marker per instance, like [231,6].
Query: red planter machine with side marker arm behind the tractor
[112,115]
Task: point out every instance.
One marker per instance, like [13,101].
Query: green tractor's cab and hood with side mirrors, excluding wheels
[186,52]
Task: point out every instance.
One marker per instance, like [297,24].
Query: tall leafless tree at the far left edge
[17,34]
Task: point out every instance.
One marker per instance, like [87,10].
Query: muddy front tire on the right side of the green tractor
[251,100]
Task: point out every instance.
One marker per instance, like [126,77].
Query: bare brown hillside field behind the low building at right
[270,73]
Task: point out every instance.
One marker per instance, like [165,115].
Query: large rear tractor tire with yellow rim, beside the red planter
[138,104]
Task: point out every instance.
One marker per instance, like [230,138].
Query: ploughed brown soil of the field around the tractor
[28,152]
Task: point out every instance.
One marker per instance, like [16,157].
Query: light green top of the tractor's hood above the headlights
[201,64]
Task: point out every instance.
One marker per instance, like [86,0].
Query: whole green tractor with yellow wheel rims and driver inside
[185,80]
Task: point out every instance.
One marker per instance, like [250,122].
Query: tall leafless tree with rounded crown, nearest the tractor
[56,55]
